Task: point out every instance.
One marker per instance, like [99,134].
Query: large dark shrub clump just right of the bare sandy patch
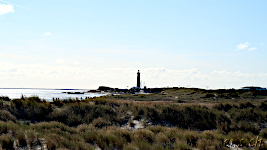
[188,117]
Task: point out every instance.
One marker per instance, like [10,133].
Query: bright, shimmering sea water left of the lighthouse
[46,94]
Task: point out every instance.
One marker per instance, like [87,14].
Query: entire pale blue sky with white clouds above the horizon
[82,44]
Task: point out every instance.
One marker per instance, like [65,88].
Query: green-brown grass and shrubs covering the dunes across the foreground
[173,119]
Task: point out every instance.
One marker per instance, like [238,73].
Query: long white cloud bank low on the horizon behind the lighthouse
[91,76]
